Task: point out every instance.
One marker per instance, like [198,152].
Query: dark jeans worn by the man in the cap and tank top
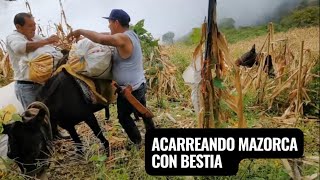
[125,109]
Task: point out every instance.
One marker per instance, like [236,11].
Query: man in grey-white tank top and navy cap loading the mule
[127,67]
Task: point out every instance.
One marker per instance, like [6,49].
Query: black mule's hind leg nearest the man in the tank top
[93,124]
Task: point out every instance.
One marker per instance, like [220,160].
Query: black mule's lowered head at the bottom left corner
[28,143]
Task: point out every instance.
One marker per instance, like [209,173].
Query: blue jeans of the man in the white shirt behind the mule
[26,93]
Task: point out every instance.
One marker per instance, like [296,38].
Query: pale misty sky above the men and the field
[161,16]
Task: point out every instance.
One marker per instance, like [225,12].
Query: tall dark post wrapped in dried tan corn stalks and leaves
[216,64]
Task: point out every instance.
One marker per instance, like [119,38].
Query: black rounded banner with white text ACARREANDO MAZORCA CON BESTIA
[216,151]
